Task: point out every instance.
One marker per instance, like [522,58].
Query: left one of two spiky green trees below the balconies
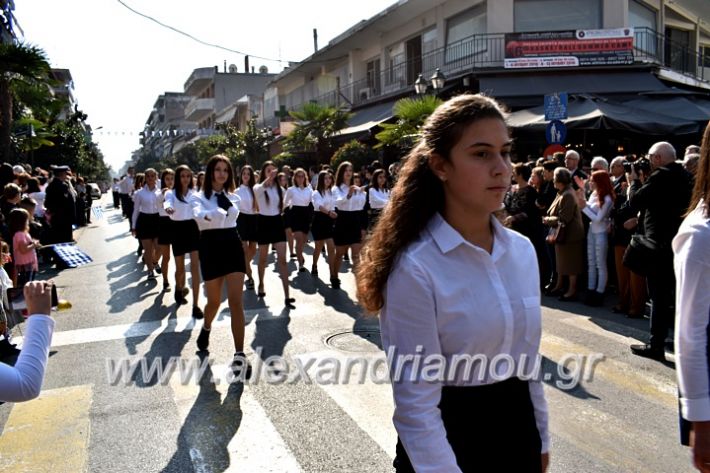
[315,126]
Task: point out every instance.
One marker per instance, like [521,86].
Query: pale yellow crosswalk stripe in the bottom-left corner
[50,433]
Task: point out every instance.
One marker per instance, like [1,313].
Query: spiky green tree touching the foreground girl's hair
[411,114]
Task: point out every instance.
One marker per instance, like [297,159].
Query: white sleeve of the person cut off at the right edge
[691,336]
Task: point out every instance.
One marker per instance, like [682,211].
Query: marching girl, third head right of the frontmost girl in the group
[298,202]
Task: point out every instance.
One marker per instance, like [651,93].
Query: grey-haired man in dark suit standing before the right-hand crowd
[663,196]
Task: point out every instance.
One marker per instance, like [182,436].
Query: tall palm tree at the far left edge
[21,66]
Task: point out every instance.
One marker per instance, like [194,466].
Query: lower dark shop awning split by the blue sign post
[593,113]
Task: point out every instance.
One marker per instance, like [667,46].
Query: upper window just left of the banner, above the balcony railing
[460,31]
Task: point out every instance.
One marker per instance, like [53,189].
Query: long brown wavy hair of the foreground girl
[417,195]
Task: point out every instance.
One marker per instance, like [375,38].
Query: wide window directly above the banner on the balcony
[556,15]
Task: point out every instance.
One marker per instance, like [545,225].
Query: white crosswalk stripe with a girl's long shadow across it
[218,416]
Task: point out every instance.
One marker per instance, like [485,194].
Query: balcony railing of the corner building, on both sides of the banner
[485,52]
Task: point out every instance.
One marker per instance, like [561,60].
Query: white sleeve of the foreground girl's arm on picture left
[408,320]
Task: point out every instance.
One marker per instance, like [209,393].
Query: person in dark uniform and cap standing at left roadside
[60,203]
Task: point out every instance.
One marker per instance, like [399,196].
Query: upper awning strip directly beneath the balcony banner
[581,82]
